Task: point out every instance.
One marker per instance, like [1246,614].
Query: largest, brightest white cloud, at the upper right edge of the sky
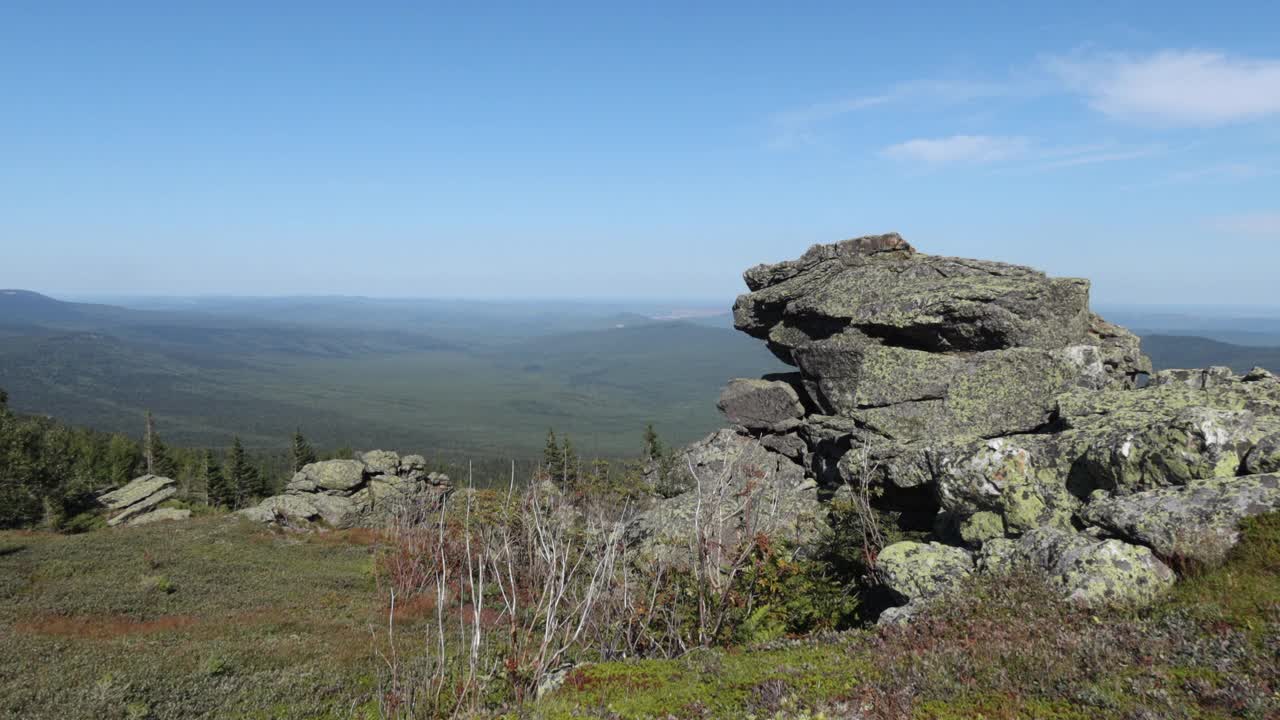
[1185,88]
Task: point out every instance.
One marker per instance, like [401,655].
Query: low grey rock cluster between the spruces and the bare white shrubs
[363,491]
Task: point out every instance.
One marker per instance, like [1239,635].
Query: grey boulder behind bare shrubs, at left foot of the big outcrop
[742,490]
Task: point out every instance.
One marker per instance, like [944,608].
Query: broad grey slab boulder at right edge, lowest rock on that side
[1199,522]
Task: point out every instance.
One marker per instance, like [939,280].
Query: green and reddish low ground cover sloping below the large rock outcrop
[1008,651]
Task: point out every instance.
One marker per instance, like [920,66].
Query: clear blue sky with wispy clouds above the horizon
[636,151]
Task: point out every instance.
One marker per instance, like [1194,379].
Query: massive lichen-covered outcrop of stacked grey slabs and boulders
[991,399]
